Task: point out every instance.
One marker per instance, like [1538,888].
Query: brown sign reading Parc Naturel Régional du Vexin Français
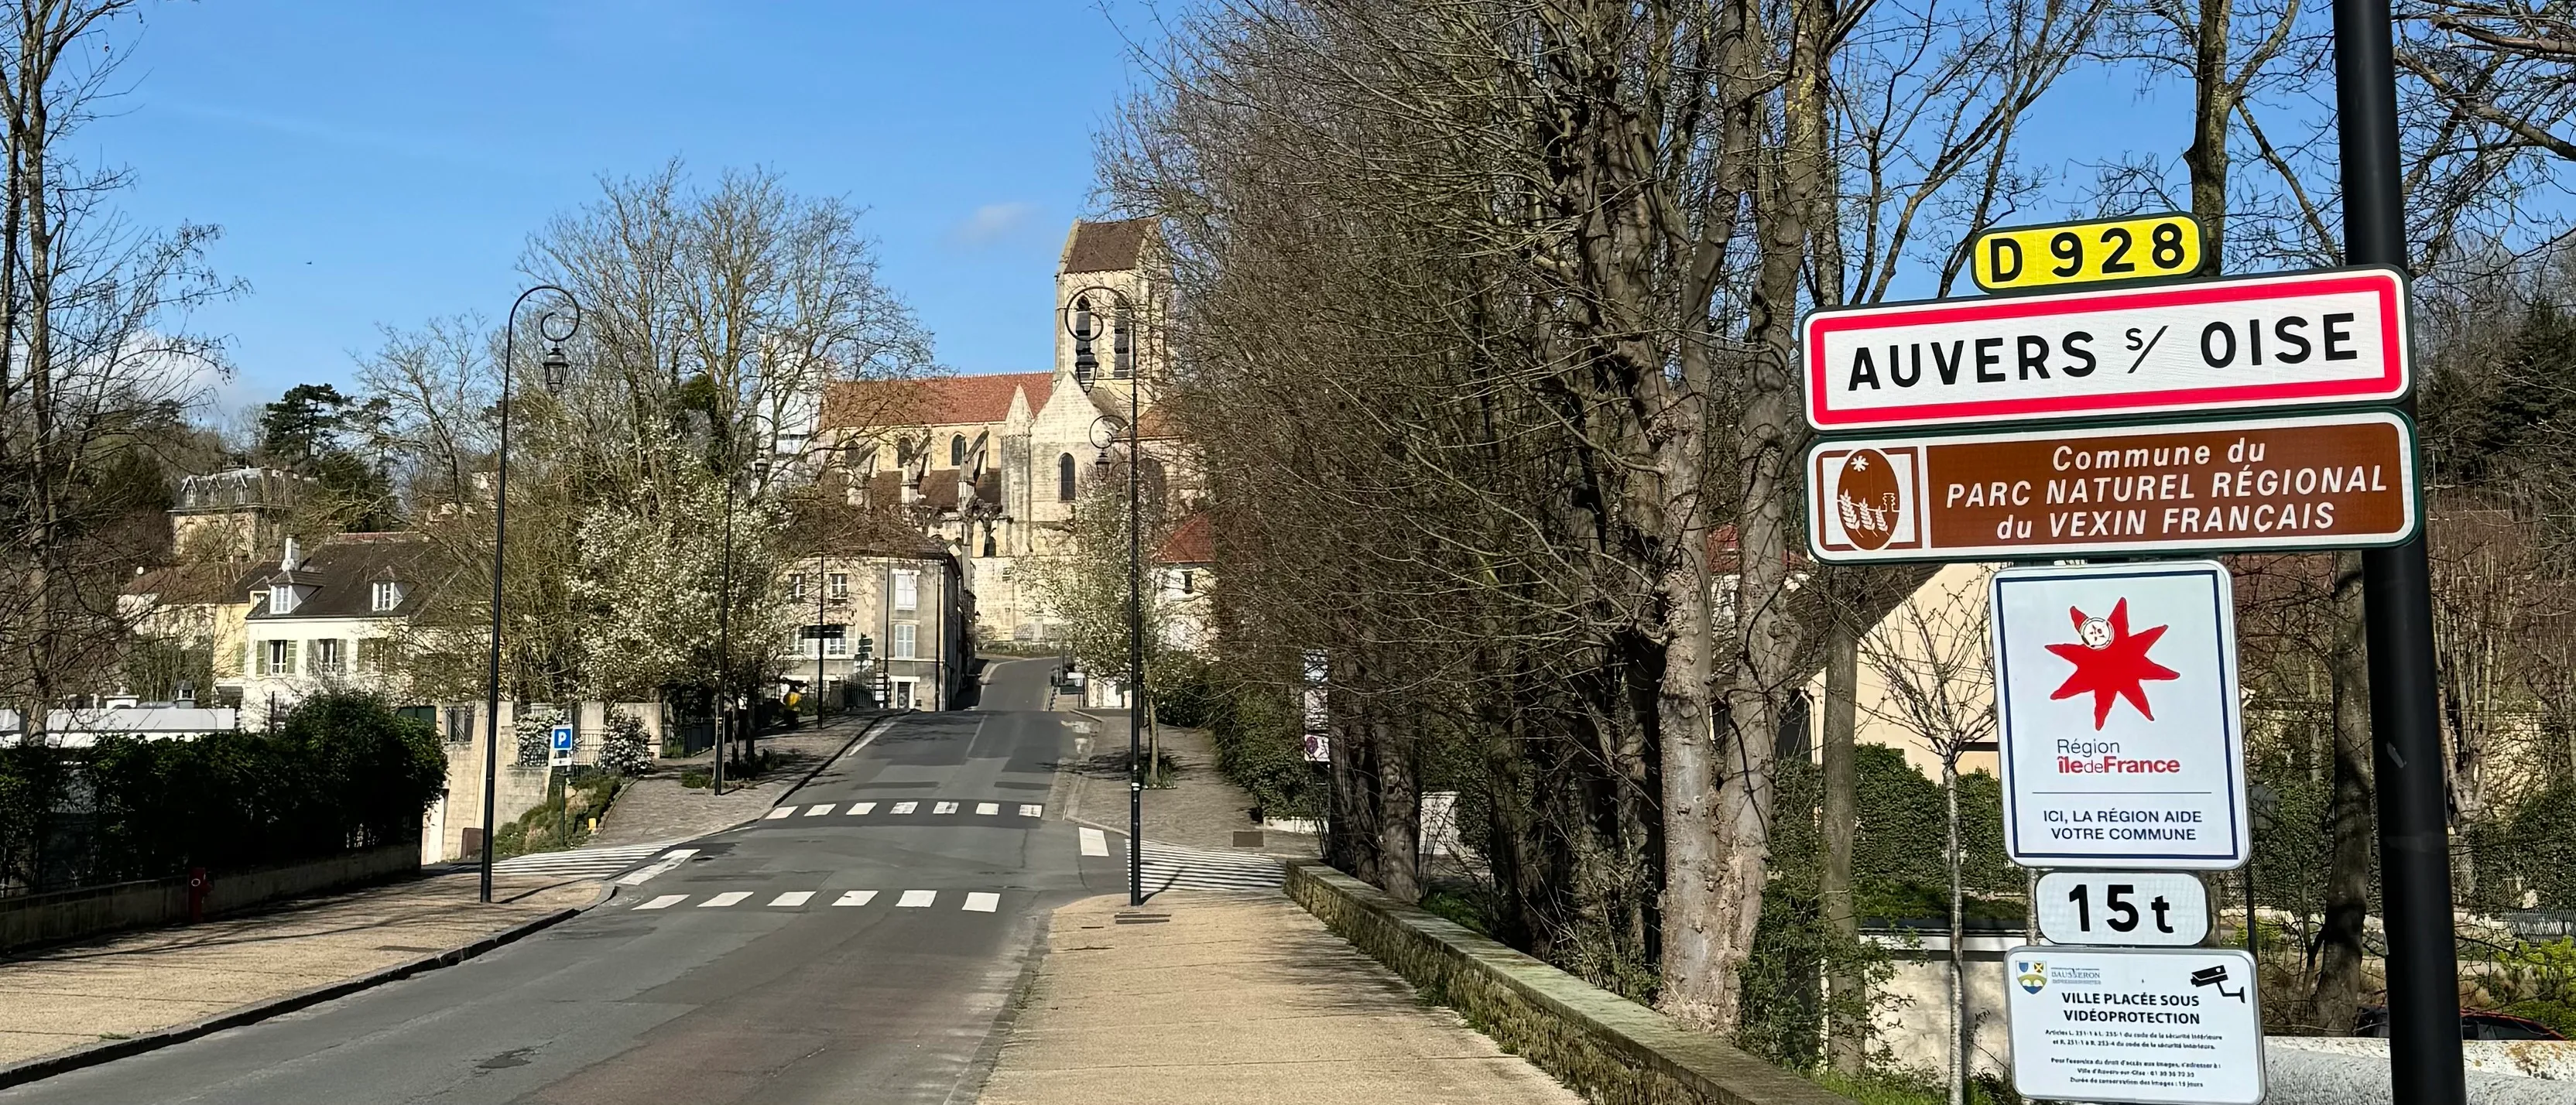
[2224,486]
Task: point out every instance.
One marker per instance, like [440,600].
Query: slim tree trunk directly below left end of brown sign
[1848,1044]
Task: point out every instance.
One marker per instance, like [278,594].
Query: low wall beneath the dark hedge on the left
[94,911]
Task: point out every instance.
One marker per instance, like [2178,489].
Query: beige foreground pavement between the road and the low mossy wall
[1248,1001]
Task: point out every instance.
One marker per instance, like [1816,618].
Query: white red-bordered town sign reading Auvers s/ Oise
[2237,344]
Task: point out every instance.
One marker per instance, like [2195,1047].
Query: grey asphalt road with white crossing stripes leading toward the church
[735,988]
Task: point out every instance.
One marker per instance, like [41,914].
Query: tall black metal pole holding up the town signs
[2397,589]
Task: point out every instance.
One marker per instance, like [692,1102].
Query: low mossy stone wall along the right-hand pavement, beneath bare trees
[1596,1042]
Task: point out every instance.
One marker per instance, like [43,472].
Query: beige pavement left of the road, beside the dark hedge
[146,983]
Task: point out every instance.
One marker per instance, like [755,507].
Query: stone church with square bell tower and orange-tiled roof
[996,465]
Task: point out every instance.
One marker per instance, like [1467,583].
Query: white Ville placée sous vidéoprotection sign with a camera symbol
[2134,1024]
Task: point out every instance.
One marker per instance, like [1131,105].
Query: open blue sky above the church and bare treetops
[380,164]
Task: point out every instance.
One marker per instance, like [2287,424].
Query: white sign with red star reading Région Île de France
[2116,712]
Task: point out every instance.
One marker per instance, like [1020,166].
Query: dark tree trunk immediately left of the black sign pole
[2348,813]
